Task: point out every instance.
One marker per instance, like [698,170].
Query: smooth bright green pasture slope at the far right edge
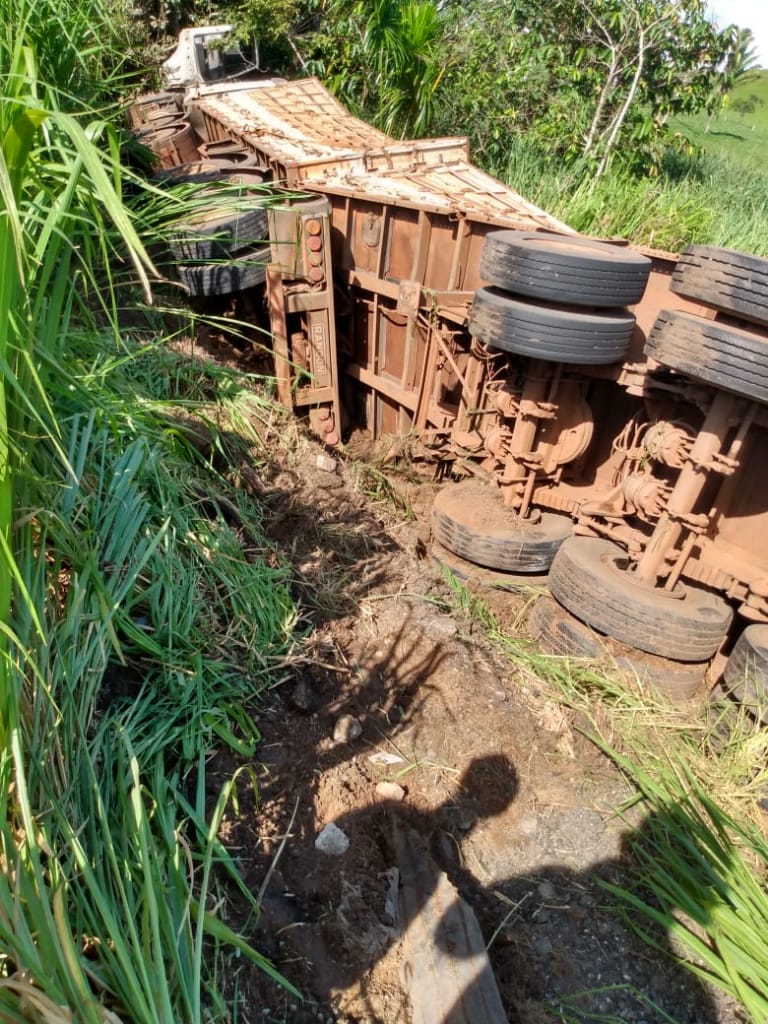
[742,136]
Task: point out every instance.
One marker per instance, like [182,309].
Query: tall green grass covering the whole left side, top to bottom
[141,609]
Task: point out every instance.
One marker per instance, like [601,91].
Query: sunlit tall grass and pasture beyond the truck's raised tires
[713,192]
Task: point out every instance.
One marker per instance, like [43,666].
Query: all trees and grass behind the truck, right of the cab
[587,123]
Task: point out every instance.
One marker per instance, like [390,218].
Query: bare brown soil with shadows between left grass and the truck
[508,797]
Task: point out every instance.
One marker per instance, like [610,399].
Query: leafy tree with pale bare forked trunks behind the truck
[606,74]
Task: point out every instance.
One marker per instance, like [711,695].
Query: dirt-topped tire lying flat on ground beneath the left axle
[471,521]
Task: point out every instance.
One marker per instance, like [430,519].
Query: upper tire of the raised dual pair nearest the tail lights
[571,271]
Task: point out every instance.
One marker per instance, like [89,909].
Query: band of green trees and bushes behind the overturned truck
[582,79]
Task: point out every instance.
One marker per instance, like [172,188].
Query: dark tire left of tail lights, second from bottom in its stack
[219,237]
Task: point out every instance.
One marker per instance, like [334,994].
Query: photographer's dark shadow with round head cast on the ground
[560,945]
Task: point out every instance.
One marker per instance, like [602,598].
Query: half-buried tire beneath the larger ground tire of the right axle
[560,633]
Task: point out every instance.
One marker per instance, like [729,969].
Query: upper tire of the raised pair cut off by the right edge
[724,279]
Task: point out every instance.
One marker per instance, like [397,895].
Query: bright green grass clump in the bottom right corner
[701,880]
